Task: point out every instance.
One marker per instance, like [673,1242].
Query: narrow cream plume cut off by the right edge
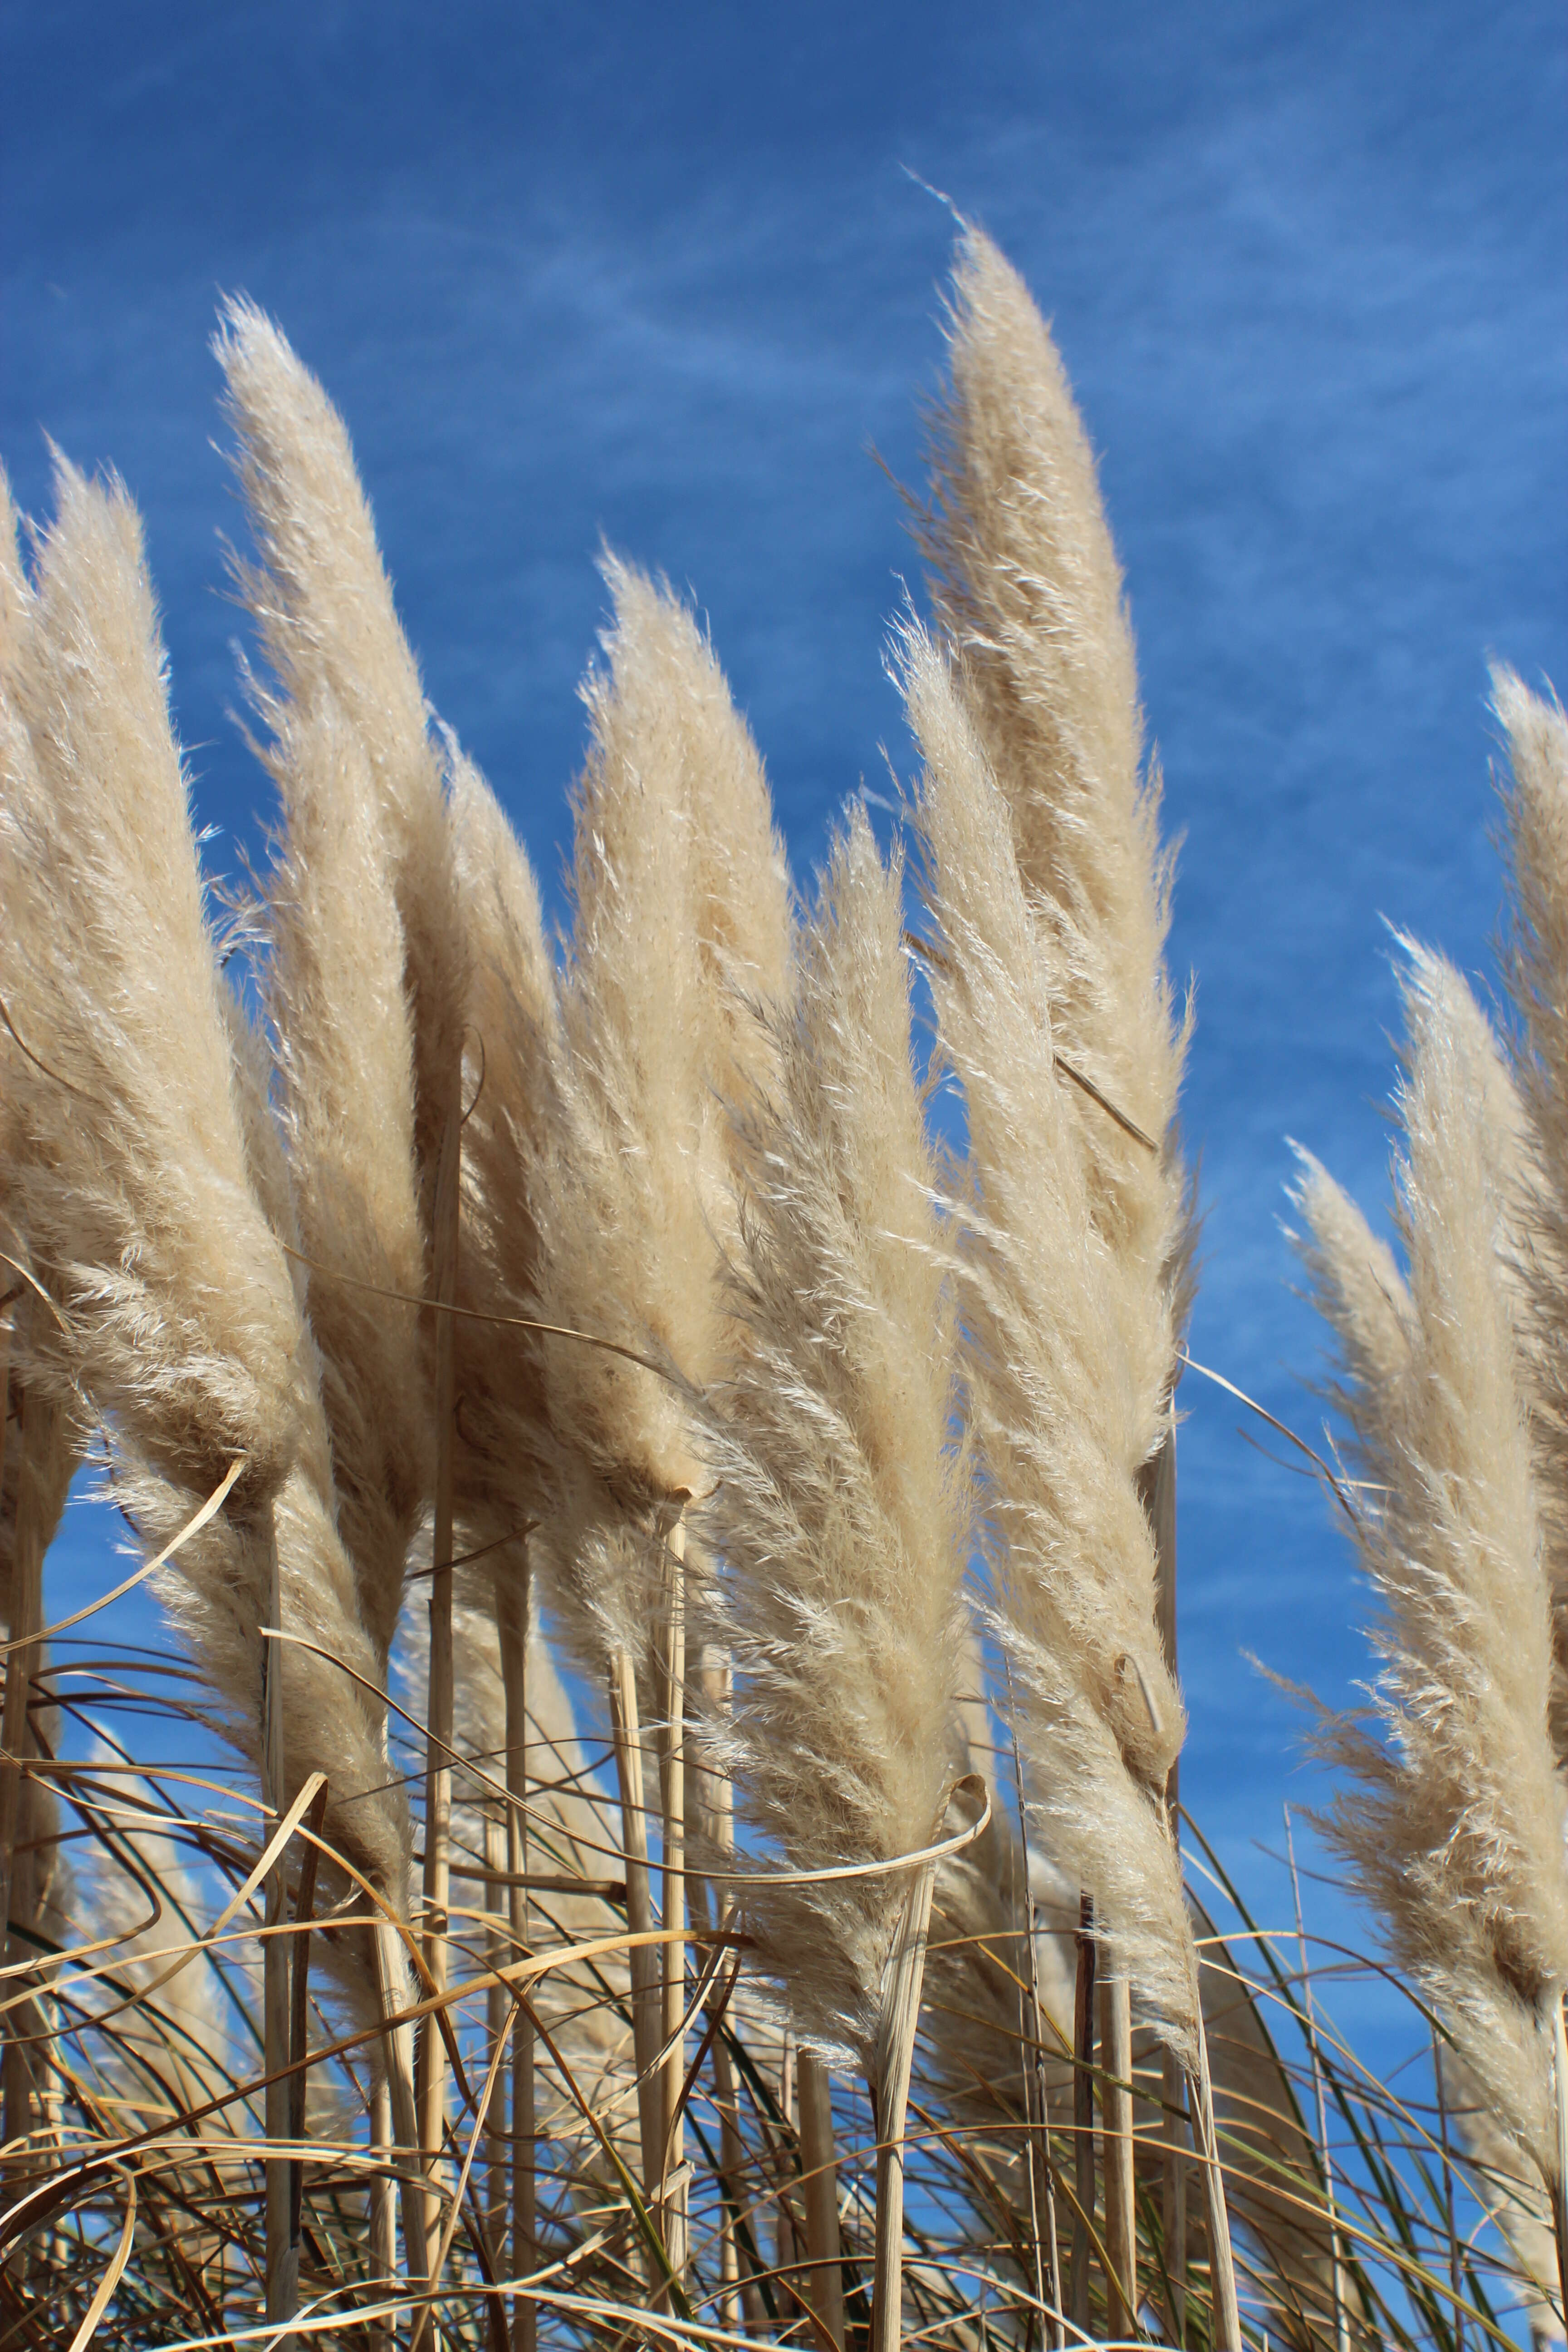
[1539,961]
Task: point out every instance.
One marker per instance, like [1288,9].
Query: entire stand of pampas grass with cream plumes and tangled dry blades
[626,1276]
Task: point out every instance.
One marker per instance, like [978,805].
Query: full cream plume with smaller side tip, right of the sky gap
[1454,1822]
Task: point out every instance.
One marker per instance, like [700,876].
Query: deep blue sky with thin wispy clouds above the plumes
[664,276]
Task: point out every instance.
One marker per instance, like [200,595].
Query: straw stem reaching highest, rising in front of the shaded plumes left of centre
[431,2080]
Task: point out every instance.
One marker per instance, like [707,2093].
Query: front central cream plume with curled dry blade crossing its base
[838,1485]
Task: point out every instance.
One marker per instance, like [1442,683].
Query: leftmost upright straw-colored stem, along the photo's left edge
[18,1852]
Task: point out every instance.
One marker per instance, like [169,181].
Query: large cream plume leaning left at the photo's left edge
[128,1170]
